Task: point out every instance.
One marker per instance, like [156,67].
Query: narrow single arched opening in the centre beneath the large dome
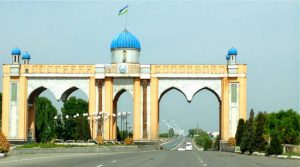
[123,111]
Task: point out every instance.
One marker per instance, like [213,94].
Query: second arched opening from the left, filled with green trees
[74,122]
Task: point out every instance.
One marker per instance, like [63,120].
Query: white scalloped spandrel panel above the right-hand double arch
[189,87]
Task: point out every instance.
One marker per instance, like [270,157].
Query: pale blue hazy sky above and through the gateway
[265,33]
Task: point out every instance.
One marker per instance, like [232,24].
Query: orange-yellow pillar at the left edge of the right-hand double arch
[154,122]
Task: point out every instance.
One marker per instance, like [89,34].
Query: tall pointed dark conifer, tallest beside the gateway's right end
[247,143]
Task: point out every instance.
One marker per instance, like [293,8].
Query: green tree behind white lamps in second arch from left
[76,128]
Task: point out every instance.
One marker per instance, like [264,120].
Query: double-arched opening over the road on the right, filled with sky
[179,114]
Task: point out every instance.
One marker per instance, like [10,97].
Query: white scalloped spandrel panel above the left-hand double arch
[60,87]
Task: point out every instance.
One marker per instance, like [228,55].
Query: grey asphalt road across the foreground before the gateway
[146,159]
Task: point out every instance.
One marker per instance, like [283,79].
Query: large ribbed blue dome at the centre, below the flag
[125,40]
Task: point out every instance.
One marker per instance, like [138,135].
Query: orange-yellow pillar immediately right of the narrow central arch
[137,109]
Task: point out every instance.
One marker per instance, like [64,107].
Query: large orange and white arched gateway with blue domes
[104,83]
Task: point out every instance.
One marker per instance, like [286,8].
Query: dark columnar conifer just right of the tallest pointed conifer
[259,130]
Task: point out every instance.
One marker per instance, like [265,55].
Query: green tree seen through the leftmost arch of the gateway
[45,112]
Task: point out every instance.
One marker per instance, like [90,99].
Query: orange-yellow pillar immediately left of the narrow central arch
[108,82]
